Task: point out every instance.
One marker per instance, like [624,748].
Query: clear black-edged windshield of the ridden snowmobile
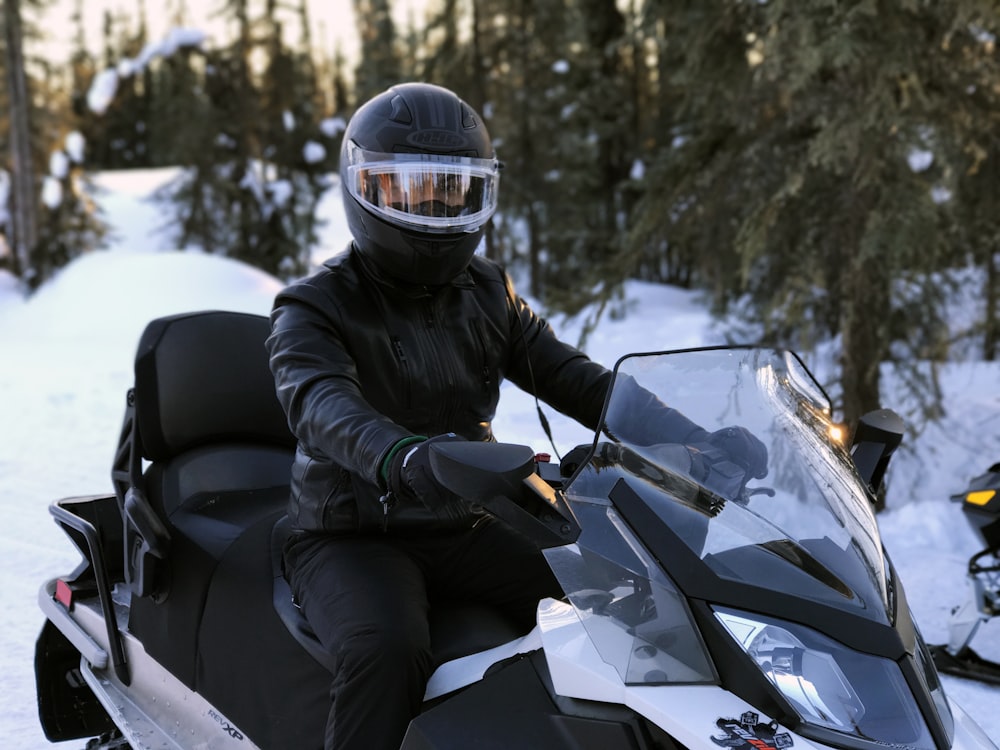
[806,529]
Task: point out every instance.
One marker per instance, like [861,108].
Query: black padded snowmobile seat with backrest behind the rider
[217,452]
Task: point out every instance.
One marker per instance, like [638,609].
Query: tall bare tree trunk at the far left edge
[25,213]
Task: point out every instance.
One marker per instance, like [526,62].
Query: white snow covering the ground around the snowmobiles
[65,364]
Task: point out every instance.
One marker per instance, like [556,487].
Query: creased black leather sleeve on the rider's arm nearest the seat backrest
[317,384]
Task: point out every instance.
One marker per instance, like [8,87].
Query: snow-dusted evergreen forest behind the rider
[827,171]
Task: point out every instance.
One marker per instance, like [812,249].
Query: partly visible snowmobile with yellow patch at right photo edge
[980,503]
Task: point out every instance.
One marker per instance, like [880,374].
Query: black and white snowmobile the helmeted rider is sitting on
[700,610]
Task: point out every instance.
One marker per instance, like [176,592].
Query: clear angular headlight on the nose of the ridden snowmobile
[829,685]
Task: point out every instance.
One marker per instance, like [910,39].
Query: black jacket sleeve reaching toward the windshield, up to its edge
[556,372]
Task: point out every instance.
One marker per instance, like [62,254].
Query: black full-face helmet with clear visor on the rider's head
[419,180]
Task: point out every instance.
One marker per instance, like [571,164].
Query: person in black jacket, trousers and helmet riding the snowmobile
[399,342]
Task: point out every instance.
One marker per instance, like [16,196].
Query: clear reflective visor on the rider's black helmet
[426,192]
